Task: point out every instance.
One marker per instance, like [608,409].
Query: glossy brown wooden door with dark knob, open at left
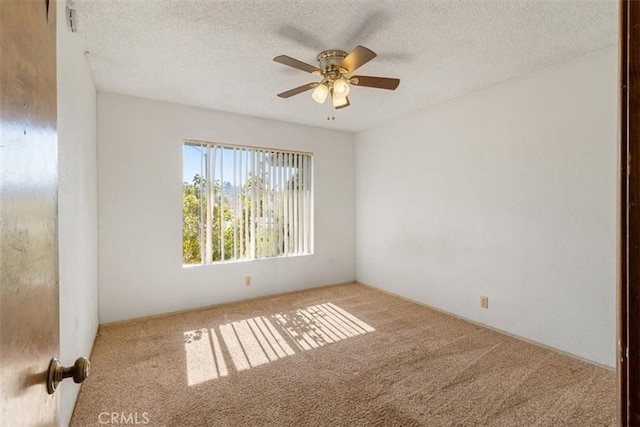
[28,211]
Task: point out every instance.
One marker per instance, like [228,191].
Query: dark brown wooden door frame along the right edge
[629,360]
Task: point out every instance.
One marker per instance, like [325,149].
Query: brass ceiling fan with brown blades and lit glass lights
[335,67]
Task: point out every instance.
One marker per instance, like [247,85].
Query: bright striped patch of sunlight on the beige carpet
[260,340]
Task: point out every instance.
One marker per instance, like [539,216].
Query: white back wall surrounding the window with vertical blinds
[140,209]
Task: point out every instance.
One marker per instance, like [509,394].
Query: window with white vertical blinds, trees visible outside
[243,203]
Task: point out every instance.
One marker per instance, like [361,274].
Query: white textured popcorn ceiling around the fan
[218,54]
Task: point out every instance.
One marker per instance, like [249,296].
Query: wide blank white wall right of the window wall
[508,192]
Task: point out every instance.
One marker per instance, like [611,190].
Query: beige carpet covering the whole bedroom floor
[337,356]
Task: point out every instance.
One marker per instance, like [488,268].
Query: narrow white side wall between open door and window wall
[77,207]
